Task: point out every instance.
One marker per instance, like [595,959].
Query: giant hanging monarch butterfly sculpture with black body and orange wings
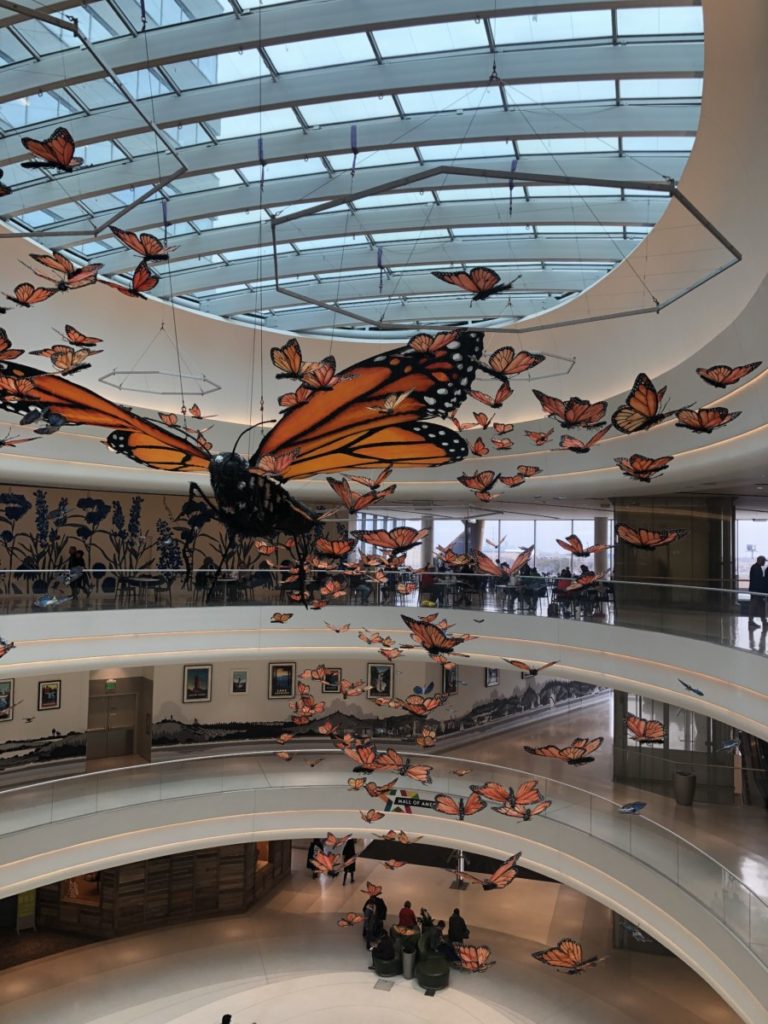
[332,432]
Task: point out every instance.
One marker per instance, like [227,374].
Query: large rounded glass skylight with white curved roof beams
[225,117]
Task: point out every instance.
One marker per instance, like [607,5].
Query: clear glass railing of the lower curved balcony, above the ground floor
[713,885]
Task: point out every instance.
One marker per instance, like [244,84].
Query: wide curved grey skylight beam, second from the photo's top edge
[448,71]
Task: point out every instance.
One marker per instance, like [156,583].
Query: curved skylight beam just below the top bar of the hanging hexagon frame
[420,218]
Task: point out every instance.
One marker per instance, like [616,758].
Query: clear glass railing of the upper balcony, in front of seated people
[718,616]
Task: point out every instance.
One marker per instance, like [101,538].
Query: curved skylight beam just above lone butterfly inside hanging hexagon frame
[428,253]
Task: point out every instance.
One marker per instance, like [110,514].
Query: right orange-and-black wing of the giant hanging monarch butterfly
[334,429]
